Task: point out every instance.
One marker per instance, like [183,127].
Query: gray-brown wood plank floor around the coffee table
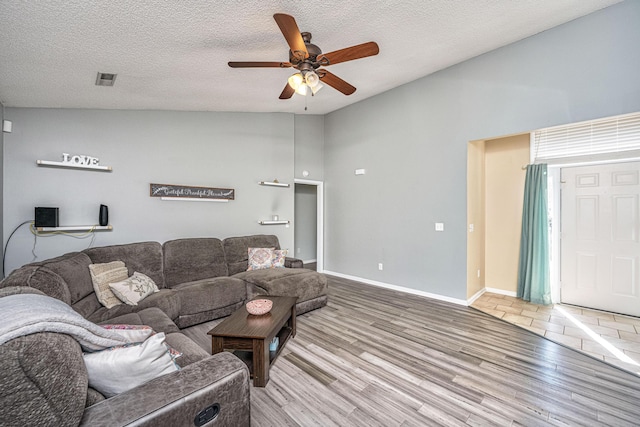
[377,357]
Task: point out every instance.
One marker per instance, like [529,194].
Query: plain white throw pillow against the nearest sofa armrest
[118,369]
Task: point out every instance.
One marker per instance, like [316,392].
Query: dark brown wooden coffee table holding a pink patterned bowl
[250,335]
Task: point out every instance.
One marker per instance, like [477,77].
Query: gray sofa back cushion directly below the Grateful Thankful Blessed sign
[188,260]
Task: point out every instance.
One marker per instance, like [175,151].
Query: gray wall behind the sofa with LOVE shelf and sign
[187,148]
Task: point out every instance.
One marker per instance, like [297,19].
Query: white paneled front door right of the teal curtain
[600,237]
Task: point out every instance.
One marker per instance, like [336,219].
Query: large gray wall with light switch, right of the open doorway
[412,141]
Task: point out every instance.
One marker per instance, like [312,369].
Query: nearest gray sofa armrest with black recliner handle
[176,399]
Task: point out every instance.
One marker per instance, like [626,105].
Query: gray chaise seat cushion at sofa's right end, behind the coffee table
[298,282]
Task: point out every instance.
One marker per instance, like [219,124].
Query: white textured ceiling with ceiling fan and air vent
[172,55]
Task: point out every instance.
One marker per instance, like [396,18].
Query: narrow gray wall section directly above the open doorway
[309,150]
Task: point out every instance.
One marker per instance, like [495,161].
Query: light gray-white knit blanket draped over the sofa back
[25,314]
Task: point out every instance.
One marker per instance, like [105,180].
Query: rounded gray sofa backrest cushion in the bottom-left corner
[44,380]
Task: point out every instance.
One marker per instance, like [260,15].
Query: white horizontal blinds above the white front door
[610,138]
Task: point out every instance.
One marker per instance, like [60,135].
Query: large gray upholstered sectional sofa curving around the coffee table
[200,279]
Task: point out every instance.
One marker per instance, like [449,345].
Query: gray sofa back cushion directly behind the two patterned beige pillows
[145,257]
